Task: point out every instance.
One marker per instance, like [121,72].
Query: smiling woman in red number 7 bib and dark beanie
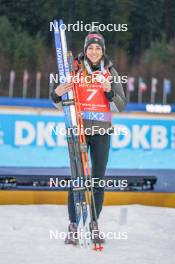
[95,106]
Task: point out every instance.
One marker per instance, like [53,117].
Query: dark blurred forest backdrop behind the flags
[146,49]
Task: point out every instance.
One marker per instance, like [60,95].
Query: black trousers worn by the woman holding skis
[99,151]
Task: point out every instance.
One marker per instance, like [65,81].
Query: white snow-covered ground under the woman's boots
[25,236]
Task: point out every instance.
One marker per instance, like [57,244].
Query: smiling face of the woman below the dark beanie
[94,53]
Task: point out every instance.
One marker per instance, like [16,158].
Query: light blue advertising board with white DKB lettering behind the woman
[37,139]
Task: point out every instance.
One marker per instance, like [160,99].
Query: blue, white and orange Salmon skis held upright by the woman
[83,197]
